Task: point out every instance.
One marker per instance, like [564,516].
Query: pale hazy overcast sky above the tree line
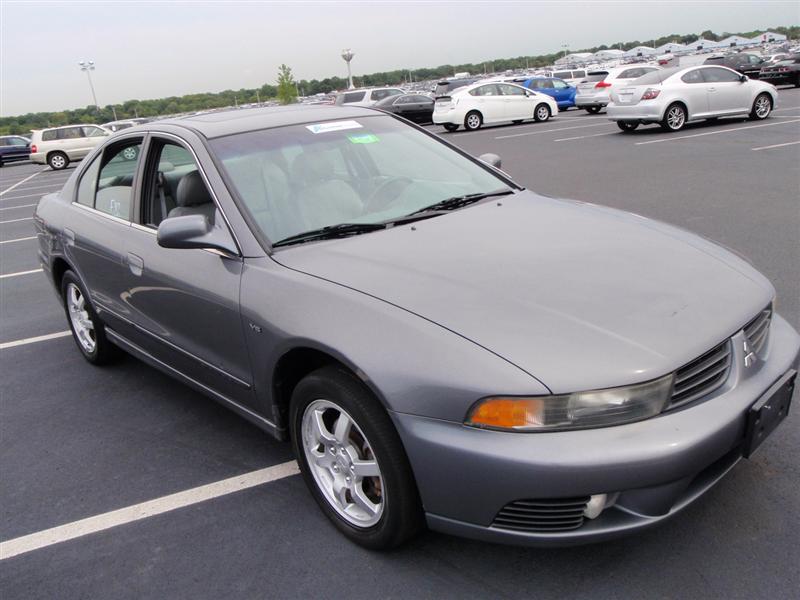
[150,49]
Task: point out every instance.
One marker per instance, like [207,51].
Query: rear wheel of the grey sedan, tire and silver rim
[87,329]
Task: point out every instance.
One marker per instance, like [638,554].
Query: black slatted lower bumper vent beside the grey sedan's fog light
[543,515]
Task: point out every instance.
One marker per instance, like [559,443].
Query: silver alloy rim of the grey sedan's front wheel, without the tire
[342,463]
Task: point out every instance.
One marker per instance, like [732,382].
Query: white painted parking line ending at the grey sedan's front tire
[129,514]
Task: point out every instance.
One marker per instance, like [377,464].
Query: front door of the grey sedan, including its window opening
[185,303]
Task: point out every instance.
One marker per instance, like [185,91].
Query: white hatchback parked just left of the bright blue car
[484,103]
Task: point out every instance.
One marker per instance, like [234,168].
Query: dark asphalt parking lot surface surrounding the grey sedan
[79,442]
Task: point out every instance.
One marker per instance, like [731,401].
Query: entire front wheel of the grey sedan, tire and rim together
[394,513]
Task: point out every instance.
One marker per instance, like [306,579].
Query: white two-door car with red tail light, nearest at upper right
[673,97]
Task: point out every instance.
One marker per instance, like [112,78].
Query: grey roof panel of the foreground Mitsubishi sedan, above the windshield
[231,121]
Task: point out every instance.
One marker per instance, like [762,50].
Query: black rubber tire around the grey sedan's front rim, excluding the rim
[402,515]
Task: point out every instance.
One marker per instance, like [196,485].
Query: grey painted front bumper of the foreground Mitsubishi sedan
[654,468]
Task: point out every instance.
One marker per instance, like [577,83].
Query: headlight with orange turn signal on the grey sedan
[580,410]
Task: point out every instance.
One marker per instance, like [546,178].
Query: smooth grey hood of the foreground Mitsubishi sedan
[577,295]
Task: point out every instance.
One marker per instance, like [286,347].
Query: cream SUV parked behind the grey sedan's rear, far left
[57,146]
